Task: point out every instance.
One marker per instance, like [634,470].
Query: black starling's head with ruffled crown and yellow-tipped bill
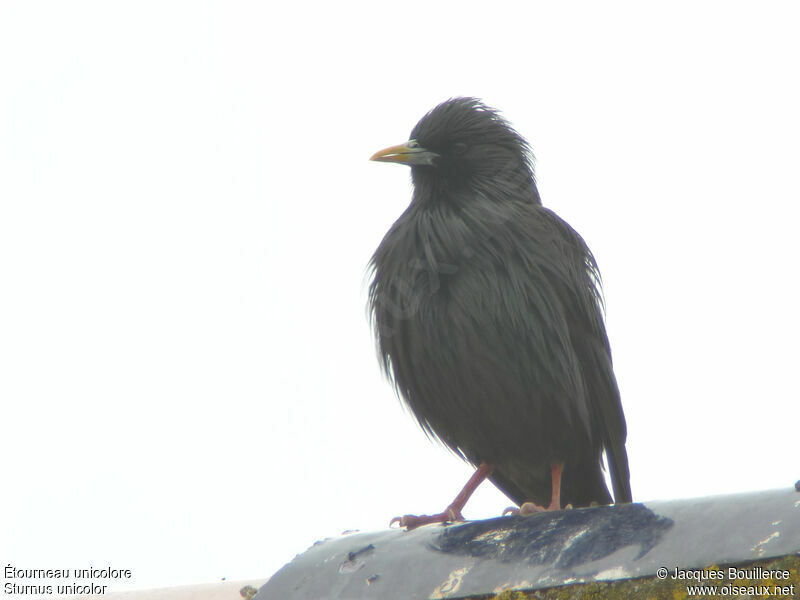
[464,144]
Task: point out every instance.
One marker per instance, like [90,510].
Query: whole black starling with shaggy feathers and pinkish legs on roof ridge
[489,320]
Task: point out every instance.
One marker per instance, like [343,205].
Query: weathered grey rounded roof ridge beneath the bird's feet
[575,547]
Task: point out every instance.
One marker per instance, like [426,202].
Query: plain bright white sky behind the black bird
[188,383]
